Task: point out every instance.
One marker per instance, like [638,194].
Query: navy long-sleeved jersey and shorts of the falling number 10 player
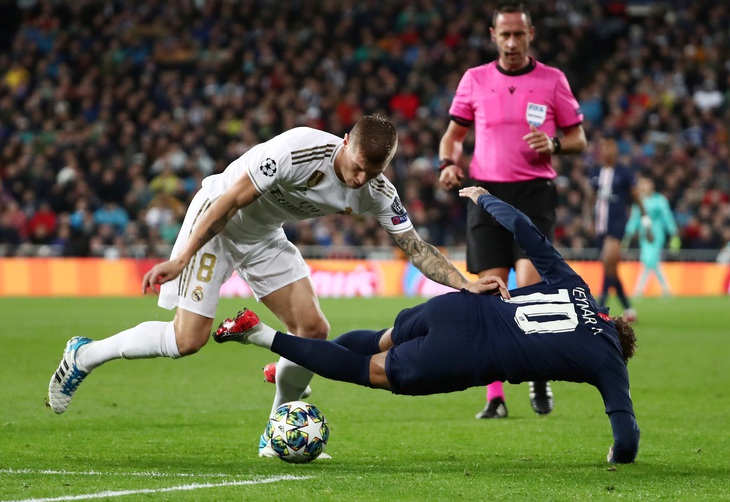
[553,330]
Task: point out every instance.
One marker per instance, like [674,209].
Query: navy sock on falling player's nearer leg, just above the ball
[327,359]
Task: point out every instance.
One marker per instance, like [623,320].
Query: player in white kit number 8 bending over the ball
[235,223]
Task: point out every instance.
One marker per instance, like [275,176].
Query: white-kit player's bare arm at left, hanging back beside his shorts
[213,220]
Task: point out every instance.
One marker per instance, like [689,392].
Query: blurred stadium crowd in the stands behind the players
[111,113]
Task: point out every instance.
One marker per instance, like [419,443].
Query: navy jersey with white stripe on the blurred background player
[613,186]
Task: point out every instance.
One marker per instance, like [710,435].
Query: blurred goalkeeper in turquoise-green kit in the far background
[662,226]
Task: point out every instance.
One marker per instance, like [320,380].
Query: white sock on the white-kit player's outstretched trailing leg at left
[144,341]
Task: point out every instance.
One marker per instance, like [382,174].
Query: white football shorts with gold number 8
[267,266]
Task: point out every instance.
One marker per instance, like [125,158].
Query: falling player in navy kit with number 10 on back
[552,330]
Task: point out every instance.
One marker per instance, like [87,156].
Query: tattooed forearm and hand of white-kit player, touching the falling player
[434,265]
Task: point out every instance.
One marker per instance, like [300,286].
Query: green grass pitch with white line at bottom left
[188,429]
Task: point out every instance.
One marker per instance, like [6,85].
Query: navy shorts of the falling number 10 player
[436,347]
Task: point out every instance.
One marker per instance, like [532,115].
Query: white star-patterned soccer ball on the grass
[297,432]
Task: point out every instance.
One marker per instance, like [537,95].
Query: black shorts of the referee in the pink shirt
[489,244]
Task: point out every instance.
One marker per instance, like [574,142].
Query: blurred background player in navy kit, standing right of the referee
[615,192]
